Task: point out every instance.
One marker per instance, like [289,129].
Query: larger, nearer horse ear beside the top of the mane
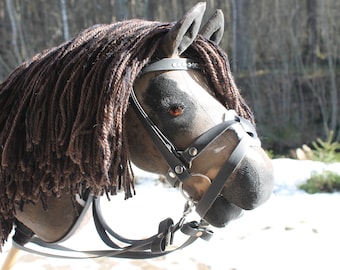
[180,37]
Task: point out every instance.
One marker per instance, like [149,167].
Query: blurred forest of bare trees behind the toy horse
[285,55]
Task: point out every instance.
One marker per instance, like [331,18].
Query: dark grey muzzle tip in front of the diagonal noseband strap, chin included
[248,187]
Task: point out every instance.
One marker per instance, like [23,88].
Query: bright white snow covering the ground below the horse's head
[292,231]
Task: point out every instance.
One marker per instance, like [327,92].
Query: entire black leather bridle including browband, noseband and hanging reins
[179,162]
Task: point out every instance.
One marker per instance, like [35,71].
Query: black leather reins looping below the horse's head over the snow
[157,245]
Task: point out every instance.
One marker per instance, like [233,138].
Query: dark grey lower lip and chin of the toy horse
[221,212]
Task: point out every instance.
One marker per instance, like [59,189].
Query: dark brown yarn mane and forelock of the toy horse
[62,113]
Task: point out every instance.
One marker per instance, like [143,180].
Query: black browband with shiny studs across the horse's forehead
[167,64]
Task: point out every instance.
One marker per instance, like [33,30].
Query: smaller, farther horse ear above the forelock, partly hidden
[214,27]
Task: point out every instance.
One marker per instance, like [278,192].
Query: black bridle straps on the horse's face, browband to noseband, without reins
[179,161]
